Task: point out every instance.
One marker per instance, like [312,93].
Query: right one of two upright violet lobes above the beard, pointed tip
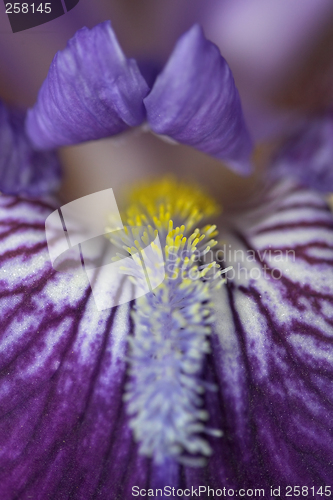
[194,101]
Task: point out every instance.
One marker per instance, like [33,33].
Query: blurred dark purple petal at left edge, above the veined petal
[23,170]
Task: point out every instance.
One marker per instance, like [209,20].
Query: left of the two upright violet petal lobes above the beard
[91,91]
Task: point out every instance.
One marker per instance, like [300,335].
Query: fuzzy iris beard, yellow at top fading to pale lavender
[172,323]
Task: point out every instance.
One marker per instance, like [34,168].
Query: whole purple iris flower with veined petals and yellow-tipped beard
[222,384]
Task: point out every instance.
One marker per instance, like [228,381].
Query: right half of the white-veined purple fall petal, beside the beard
[272,355]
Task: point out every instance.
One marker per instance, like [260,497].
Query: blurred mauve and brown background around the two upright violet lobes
[280,52]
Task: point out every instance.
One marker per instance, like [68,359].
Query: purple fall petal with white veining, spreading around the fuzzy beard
[64,428]
